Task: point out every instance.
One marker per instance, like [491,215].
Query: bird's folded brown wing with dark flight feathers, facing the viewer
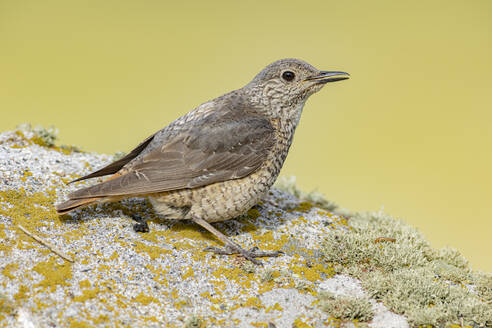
[214,149]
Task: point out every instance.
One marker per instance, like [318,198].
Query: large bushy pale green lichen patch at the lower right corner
[397,266]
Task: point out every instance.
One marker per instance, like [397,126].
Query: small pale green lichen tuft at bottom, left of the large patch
[346,308]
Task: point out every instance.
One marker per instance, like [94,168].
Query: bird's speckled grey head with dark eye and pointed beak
[288,83]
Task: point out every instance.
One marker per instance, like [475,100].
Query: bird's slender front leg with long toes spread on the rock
[232,247]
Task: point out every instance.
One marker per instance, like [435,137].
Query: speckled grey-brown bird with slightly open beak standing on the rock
[217,161]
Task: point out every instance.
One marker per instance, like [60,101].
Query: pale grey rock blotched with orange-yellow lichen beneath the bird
[163,278]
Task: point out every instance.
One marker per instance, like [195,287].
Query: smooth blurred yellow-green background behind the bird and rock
[410,131]
